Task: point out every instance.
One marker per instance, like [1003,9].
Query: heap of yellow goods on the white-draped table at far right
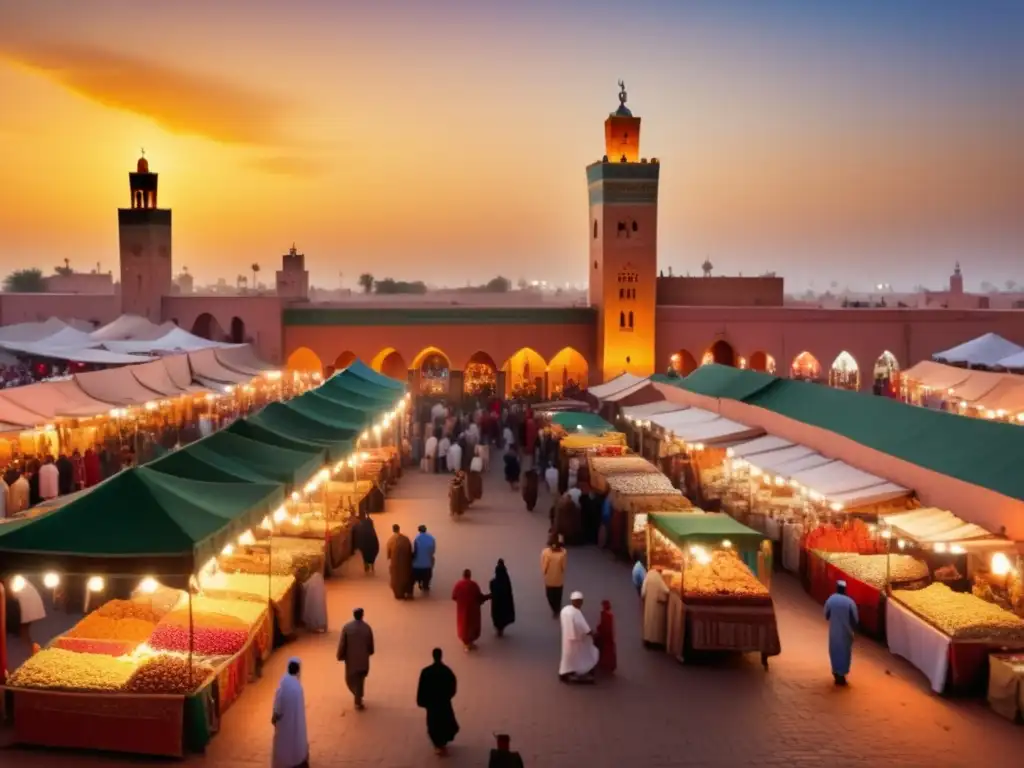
[962,616]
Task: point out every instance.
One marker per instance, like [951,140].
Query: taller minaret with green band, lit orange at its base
[623,191]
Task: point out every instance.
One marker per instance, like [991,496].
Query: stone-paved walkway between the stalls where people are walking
[655,713]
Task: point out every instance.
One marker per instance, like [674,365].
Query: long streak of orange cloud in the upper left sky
[181,102]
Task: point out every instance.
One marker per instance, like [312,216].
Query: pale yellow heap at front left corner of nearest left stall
[67,670]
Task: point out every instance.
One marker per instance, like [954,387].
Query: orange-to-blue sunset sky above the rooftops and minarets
[444,141]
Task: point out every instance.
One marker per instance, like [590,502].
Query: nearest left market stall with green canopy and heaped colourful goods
[147,668]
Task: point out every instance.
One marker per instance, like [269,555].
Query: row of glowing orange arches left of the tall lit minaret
[526,374]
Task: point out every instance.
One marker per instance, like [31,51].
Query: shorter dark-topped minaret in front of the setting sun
[145,233]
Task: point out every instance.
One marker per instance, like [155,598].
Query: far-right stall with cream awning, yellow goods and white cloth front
[971,607]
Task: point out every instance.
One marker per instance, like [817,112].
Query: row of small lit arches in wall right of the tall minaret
[844,373]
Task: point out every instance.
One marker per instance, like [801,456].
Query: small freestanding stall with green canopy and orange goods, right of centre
[716,602]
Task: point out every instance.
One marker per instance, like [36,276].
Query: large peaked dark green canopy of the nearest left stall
[144,522]
